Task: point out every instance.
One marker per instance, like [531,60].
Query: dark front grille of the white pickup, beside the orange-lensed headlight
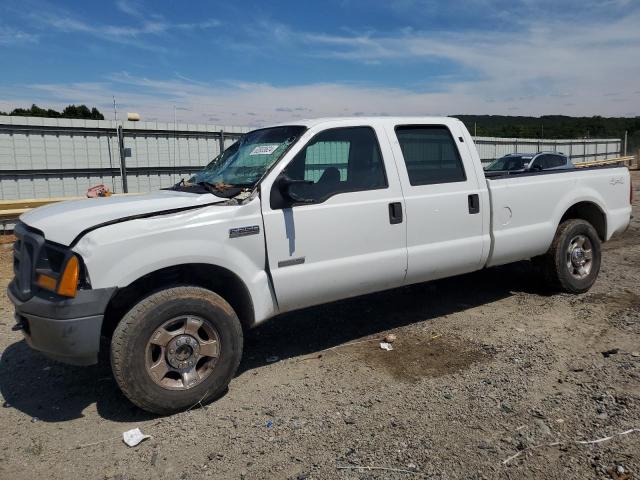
[26,251]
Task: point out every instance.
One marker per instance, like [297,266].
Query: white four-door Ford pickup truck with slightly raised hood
[290,216]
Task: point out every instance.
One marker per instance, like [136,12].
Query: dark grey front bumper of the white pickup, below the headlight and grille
[64,329]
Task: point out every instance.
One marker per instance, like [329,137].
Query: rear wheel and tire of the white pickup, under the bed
[561,264]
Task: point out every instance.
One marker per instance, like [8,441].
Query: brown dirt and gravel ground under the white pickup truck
[485,366]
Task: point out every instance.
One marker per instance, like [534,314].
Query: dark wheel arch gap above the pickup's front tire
[218,279]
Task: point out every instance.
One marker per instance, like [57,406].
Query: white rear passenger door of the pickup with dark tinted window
[444,200]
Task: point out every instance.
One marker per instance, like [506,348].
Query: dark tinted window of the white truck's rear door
[430,154]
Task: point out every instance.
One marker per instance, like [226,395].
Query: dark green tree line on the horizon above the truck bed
[555,126]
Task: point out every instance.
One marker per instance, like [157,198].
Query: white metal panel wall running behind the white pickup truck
[49,157]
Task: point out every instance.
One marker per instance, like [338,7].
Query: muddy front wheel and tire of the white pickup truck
[163,332]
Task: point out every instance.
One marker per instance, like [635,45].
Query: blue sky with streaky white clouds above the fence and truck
[256,62]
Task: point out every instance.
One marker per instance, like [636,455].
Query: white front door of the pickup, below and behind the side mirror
[350,239]
